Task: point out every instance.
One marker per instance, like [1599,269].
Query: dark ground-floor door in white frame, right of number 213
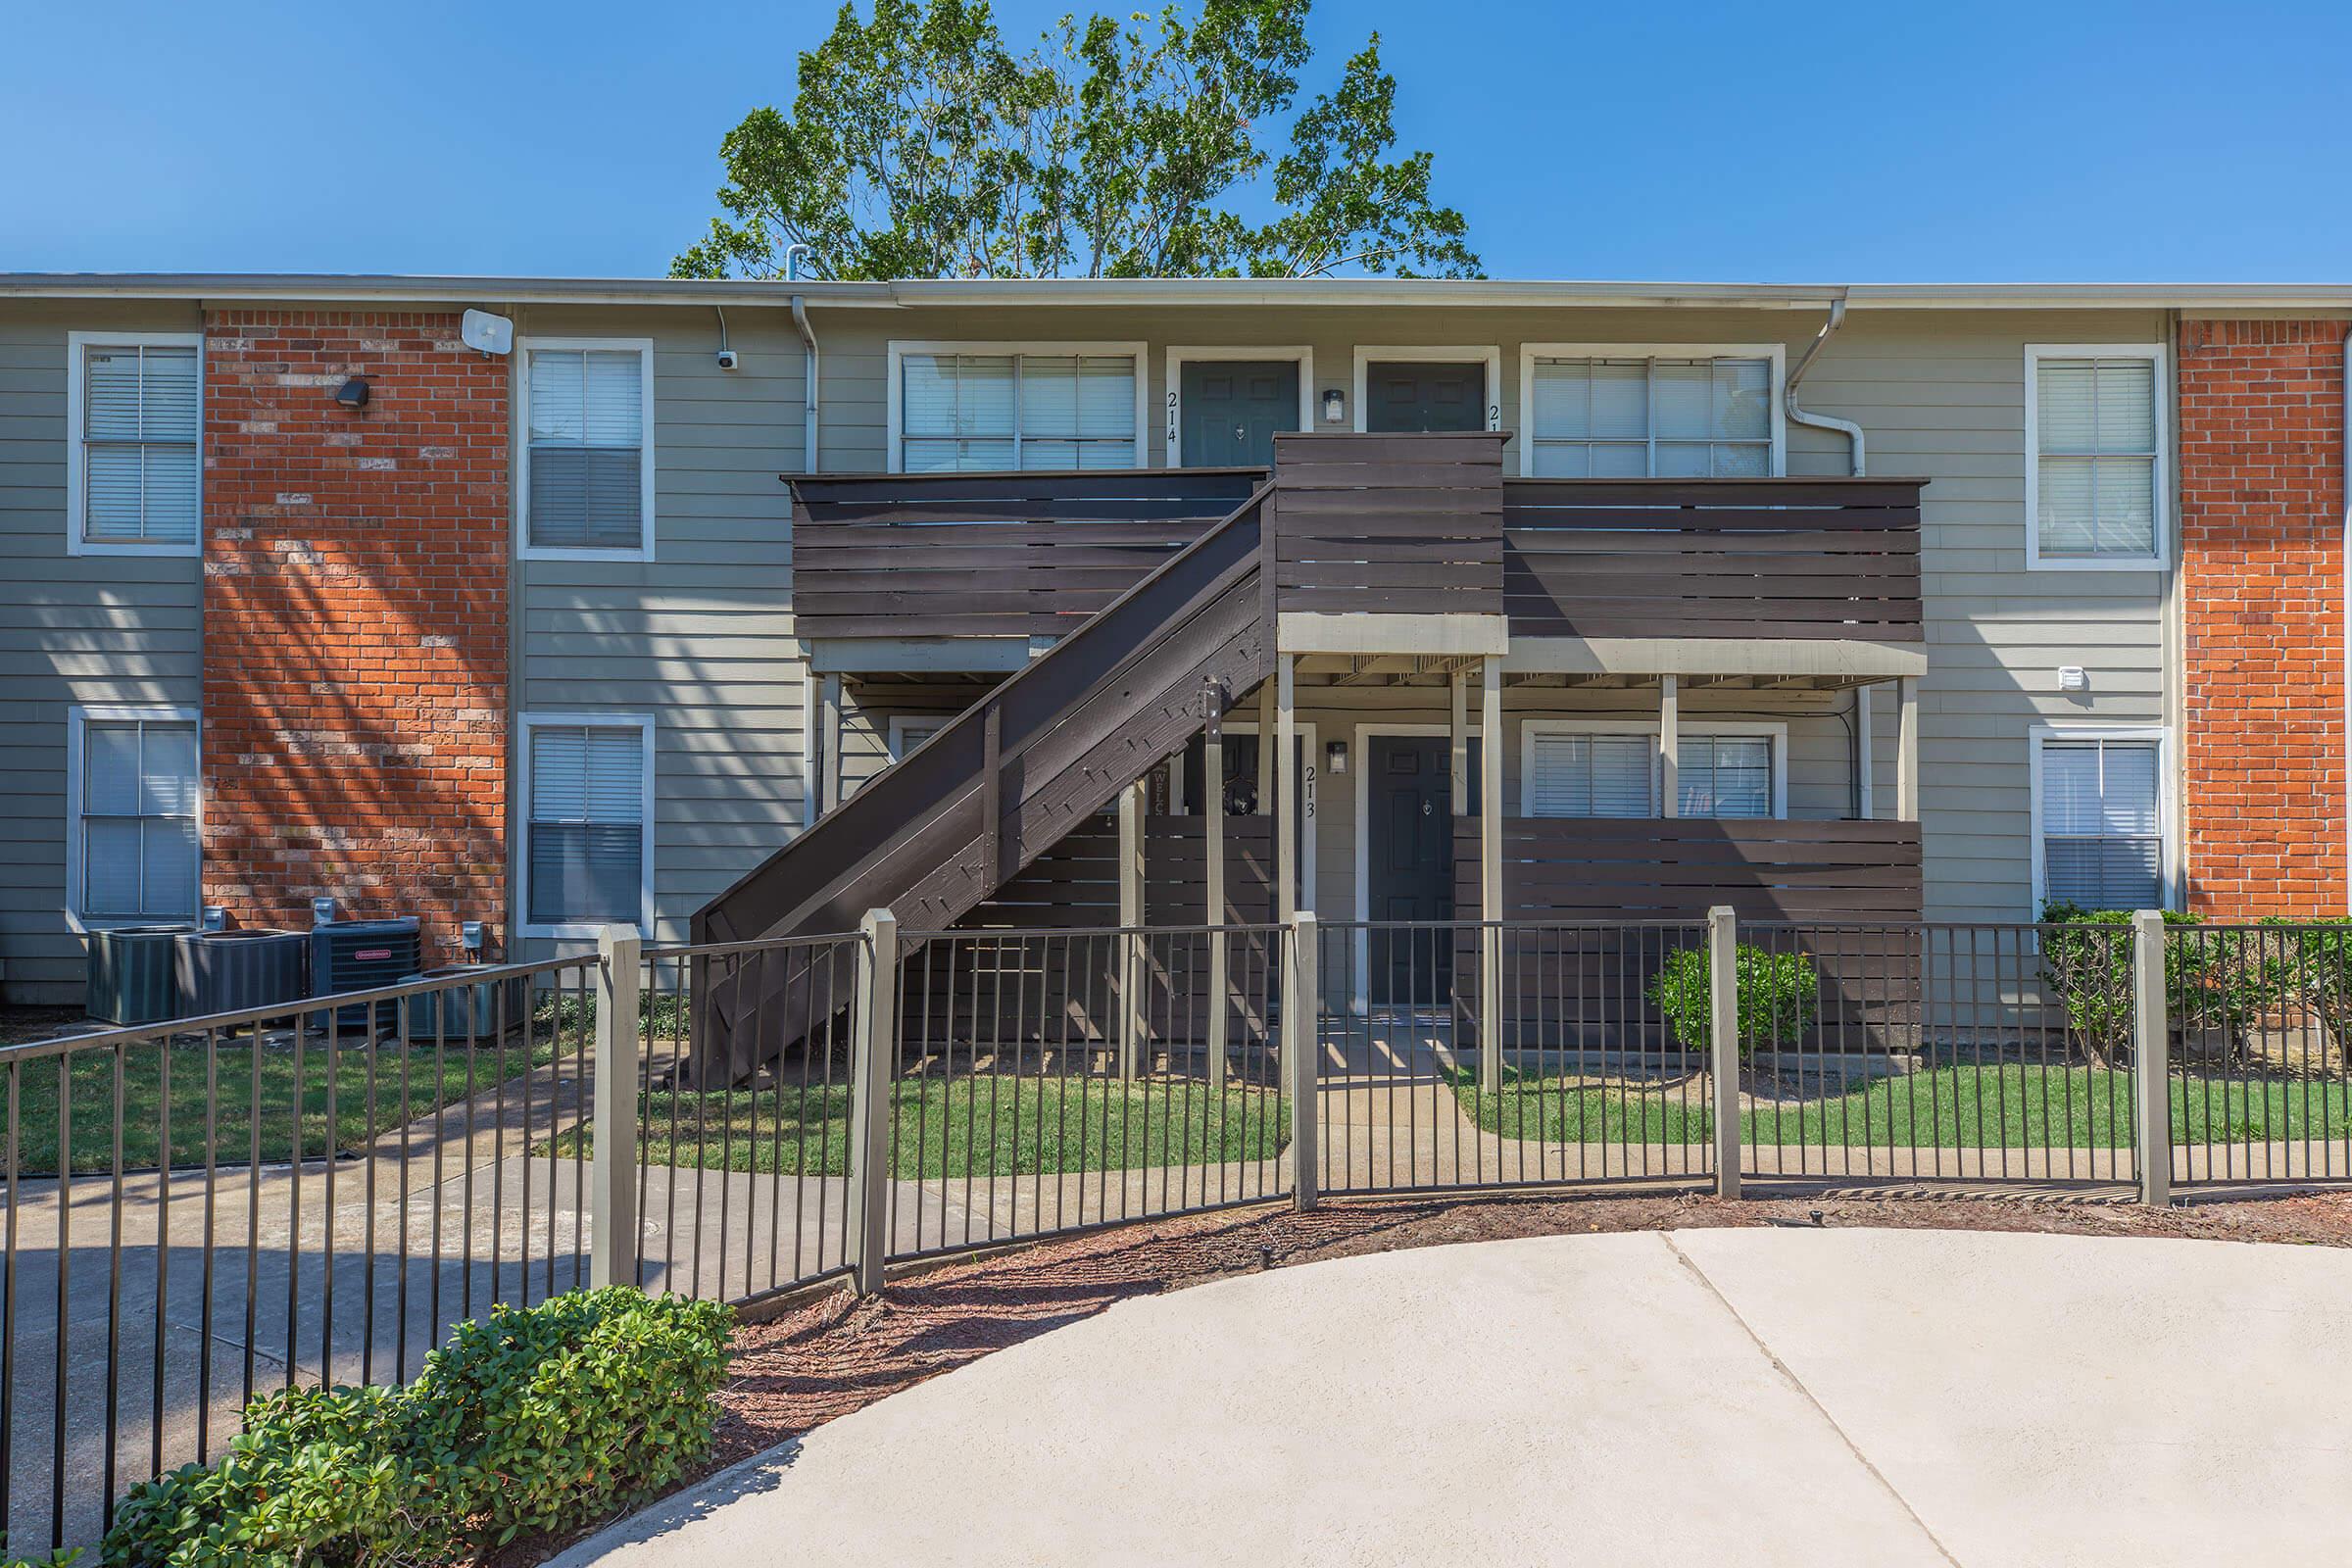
[1410,864]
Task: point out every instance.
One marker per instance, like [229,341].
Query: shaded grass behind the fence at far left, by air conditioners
[246,1073]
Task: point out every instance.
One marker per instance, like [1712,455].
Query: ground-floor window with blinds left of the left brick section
[138,822]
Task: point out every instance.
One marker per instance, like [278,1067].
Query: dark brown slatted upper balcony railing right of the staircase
[1713,558]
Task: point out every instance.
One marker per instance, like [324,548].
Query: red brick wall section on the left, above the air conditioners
[354,619]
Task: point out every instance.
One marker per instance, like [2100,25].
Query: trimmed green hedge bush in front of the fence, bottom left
[528,1421]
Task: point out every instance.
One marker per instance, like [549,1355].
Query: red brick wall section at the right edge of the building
[2261,518]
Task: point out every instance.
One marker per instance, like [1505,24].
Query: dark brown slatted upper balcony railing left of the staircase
[989,556]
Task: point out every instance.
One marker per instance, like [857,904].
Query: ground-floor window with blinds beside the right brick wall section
[2102,824]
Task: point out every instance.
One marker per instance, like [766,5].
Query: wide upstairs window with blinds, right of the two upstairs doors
[1648,417]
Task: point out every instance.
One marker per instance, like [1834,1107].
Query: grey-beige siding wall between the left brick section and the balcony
[702,636]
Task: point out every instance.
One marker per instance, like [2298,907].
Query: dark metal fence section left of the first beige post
[211,1209]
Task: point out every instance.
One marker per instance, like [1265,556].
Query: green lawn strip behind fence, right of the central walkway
[2010,1106]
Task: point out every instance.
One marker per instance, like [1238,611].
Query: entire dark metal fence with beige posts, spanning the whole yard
[213,1209]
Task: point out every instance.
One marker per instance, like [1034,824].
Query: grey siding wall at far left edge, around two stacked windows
[74,629]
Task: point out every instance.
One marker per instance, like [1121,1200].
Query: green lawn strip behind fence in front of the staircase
[973,1127]
